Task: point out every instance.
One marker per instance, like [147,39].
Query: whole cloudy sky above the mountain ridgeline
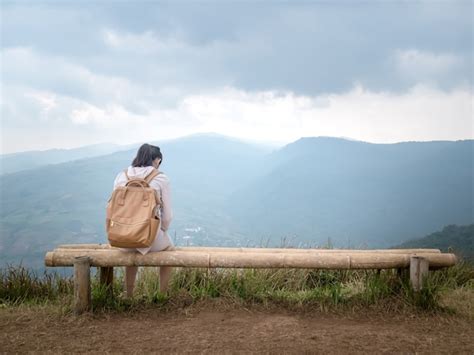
[75,73]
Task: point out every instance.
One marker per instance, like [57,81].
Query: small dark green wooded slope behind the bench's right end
[459,239]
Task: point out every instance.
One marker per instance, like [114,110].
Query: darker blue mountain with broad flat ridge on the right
[357,193]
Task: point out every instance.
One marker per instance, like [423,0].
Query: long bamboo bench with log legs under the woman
[83,256]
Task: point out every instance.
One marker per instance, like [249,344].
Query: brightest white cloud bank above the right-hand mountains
[422,113]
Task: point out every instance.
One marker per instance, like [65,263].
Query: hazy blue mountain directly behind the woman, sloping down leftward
[65,203]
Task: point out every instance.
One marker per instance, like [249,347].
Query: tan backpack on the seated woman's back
[131,220]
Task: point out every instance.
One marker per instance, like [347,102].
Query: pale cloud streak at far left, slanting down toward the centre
[26,67]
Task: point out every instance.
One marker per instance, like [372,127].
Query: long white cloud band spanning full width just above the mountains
[422,113]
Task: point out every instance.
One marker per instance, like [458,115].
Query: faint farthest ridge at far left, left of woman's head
[10,163]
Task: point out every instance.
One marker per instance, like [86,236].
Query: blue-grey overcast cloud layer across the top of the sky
[307,48]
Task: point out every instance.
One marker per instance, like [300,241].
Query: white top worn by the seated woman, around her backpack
[161,184]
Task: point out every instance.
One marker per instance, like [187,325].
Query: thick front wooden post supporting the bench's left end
[82,285]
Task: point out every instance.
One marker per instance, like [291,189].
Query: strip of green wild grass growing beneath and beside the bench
[290,288]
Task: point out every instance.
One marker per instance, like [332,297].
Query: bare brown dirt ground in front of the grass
[233,330]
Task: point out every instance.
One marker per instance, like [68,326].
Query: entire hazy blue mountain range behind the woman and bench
[229,192]
